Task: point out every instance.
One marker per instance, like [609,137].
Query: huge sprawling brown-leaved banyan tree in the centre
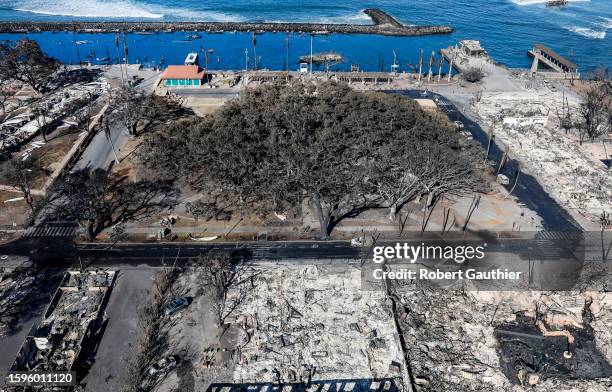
[345,151]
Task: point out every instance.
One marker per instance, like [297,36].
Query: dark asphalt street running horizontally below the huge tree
[59,250]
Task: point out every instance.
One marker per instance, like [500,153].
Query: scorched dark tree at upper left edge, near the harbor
[27,63]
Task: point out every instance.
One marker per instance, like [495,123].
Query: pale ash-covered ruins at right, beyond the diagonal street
[527,124]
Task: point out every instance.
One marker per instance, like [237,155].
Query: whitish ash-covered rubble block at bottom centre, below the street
[315,323]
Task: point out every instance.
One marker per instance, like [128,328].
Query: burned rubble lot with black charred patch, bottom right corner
[462,340]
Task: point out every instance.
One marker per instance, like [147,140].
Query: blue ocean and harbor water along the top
[582,30]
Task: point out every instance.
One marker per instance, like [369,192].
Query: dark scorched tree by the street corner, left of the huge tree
[99,200]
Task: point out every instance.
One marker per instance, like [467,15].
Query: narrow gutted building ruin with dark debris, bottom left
[70,324]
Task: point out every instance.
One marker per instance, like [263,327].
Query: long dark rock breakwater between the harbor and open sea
[383,24]
